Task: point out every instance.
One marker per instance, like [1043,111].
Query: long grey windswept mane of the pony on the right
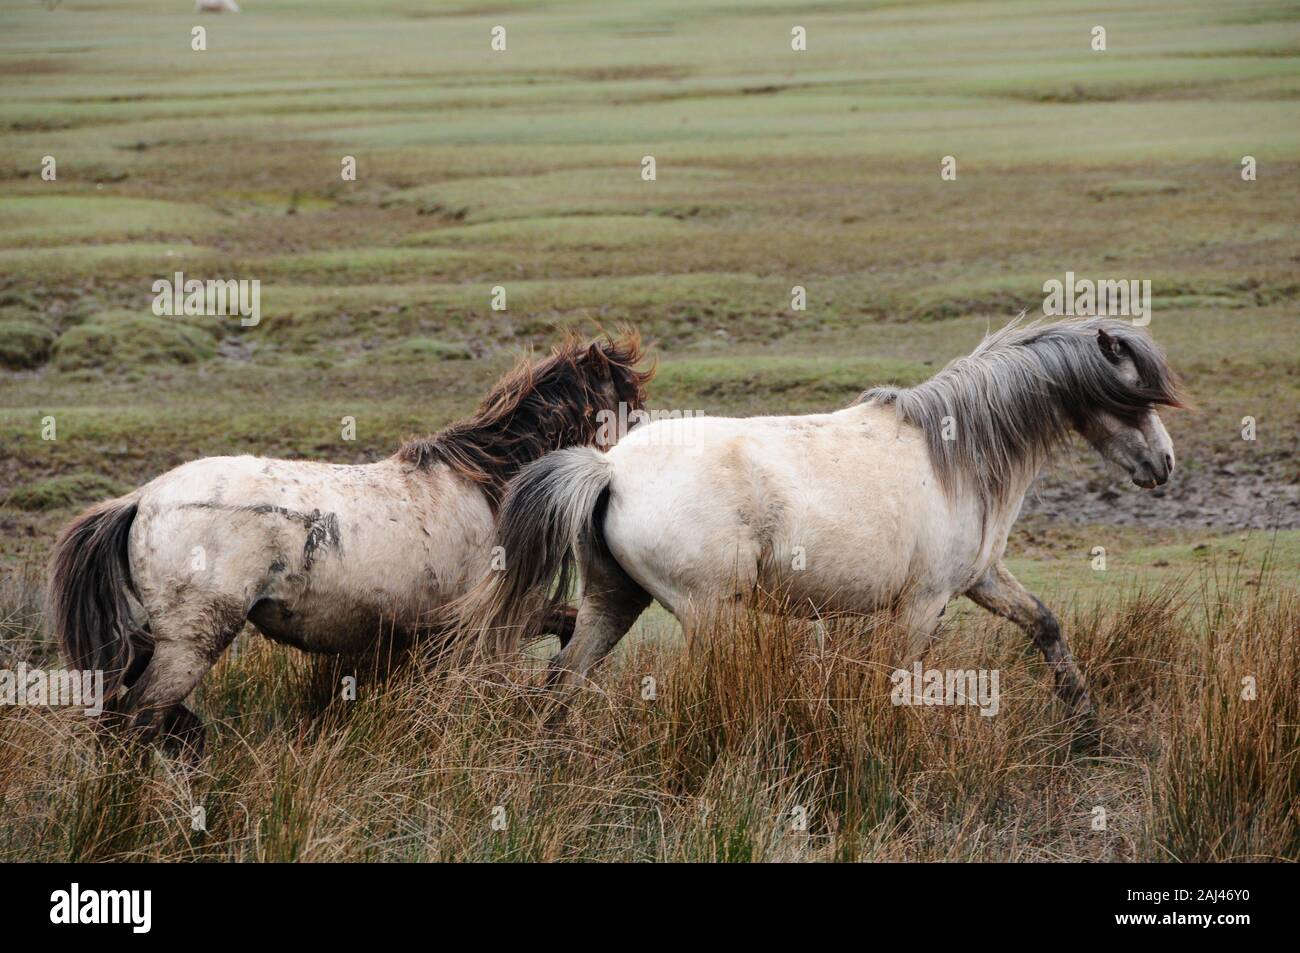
[1017,396]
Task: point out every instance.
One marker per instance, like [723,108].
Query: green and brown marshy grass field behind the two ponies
[523,170]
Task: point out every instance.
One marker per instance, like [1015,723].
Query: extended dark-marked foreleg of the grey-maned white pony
[1003,595]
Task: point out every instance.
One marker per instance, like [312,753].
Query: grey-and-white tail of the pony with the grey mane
[548,519]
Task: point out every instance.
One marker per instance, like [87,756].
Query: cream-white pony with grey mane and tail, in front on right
[899,503]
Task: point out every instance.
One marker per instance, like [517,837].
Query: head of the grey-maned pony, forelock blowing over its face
[1123,422]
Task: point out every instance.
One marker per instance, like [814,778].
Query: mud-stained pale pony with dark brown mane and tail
[153,587]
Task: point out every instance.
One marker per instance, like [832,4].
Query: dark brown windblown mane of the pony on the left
[539,408]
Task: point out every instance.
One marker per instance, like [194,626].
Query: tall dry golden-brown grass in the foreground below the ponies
[766,740]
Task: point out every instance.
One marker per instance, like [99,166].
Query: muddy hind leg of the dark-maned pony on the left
[187,644]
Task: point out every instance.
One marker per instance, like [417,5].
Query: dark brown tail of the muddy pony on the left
[90,578]
